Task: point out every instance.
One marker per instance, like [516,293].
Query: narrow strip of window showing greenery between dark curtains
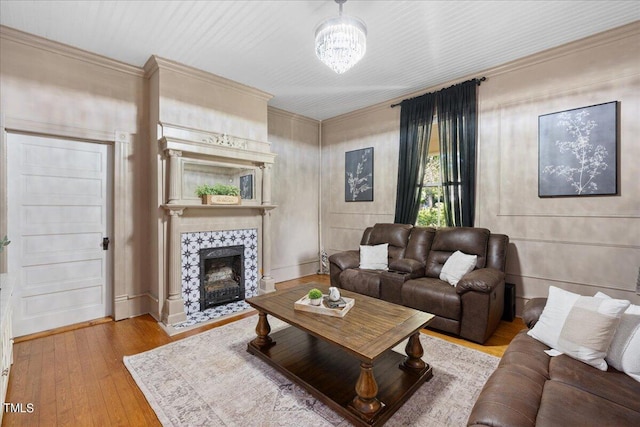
[431,213]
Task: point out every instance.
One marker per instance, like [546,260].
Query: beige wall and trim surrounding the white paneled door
[51,89]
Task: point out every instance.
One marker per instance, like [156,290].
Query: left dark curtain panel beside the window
[416,116]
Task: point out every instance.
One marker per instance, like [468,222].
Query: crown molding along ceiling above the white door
[17,36]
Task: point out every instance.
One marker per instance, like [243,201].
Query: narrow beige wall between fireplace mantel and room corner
[296,173]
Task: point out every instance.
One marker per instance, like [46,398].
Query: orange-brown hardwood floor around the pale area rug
[75,376]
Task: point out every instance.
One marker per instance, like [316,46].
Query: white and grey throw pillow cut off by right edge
[624,351]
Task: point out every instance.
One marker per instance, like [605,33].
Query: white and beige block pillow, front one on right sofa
[581,327]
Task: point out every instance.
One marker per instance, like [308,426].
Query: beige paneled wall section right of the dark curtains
[583,244]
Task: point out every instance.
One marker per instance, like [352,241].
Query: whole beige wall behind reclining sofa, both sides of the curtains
[581,244]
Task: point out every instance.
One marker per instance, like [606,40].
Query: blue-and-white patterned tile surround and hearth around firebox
[192,243]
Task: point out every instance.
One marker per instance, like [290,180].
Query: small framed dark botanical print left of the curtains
[358,179]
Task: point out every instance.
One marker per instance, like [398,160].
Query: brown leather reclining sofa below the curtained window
[472,309]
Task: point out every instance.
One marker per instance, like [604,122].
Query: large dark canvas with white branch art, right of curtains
[578,152]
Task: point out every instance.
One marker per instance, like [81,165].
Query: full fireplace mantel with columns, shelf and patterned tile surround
[192,226]
